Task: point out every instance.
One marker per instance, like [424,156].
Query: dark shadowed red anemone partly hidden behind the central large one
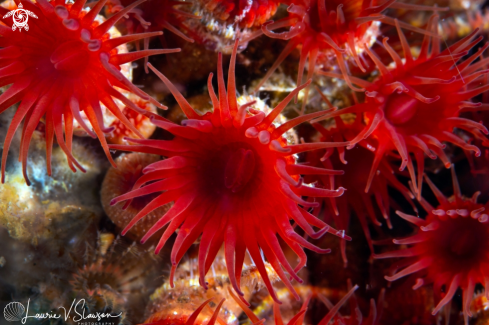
[352,164]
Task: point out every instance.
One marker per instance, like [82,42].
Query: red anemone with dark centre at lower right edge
[450,249]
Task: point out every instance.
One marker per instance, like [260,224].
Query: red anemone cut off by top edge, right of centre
[332,28]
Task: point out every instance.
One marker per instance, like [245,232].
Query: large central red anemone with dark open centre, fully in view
[234,180]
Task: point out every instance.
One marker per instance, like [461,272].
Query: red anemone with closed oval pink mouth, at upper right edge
[413,107]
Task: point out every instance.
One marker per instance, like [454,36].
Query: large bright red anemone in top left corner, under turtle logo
[64,64]
